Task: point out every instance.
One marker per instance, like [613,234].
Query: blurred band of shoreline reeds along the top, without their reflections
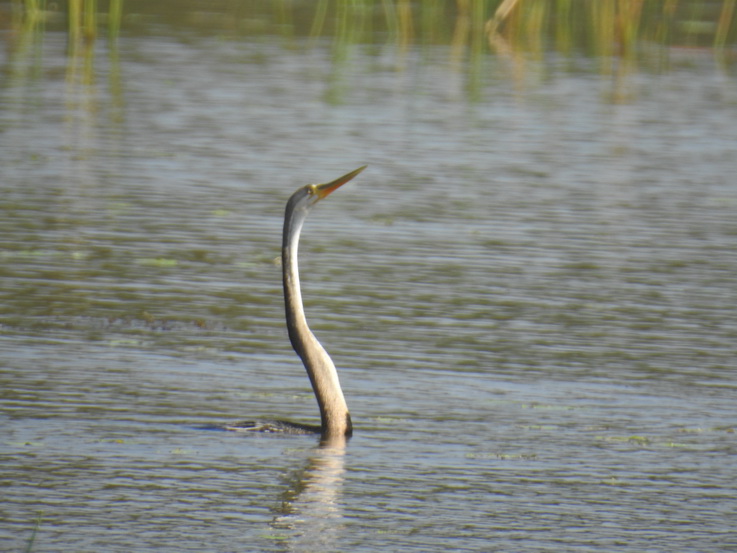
[604,27]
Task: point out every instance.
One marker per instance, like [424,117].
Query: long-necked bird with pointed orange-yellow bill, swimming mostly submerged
[335,419]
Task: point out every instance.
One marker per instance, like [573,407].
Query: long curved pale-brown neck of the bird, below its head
[334,415]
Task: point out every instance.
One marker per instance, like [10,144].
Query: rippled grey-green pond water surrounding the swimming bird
[529,295]
